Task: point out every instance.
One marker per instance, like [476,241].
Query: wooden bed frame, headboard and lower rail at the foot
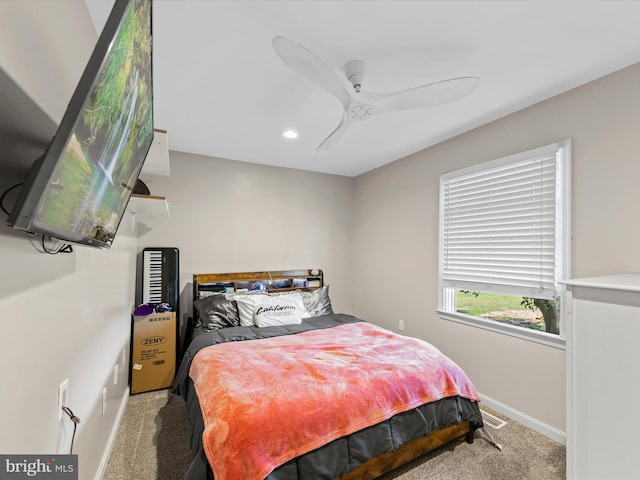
[287,280]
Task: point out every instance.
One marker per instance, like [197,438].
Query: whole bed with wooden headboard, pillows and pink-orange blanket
[278,386]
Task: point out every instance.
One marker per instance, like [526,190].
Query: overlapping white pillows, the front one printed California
[267,311]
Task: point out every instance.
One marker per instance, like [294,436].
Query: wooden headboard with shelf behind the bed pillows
[274,281]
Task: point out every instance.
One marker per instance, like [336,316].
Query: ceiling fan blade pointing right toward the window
[430,95]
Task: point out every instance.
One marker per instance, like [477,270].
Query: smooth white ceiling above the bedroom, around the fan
[220,89]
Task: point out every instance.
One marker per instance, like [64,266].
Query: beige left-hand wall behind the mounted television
[63,316]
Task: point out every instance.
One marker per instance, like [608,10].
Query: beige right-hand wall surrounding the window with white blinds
[396,231]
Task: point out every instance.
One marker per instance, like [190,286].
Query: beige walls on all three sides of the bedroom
[375,236]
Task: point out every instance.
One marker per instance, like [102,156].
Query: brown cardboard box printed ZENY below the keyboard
[153,351]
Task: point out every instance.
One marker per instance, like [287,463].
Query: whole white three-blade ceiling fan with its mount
[359,105]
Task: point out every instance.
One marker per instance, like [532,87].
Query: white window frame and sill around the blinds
[446,295]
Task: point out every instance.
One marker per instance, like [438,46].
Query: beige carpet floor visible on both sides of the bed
[153,444]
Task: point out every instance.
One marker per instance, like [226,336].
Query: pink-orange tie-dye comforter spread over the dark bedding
[267,401]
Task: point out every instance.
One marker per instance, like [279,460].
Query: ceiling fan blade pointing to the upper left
[307,64]
